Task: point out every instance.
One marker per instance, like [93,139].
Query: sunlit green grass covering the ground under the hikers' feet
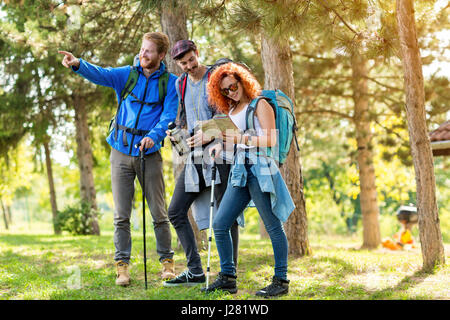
[48,267]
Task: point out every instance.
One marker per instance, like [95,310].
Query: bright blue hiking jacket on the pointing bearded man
[131,113]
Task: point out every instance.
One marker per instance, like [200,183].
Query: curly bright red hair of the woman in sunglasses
[251,86]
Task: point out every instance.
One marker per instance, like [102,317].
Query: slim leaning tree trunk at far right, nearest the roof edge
[429,226]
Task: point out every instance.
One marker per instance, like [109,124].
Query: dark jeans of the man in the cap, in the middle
[178,215]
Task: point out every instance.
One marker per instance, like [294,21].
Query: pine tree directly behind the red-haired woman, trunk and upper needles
[265,19]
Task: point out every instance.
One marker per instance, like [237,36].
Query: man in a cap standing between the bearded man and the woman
[195,177]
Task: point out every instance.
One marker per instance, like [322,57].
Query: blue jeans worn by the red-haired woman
[233,203]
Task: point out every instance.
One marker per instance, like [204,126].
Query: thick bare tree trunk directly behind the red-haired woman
[277,63]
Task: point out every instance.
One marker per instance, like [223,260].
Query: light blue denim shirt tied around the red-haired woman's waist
[269,178]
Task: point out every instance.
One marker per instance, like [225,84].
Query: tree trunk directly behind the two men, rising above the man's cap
[173,23]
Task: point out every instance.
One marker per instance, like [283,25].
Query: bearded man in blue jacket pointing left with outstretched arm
[142,116]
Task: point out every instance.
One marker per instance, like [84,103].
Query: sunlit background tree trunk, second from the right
[361,118]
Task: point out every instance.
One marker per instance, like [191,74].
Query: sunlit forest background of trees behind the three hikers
[55,160]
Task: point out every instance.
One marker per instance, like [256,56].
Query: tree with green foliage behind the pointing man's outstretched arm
[75,27]
